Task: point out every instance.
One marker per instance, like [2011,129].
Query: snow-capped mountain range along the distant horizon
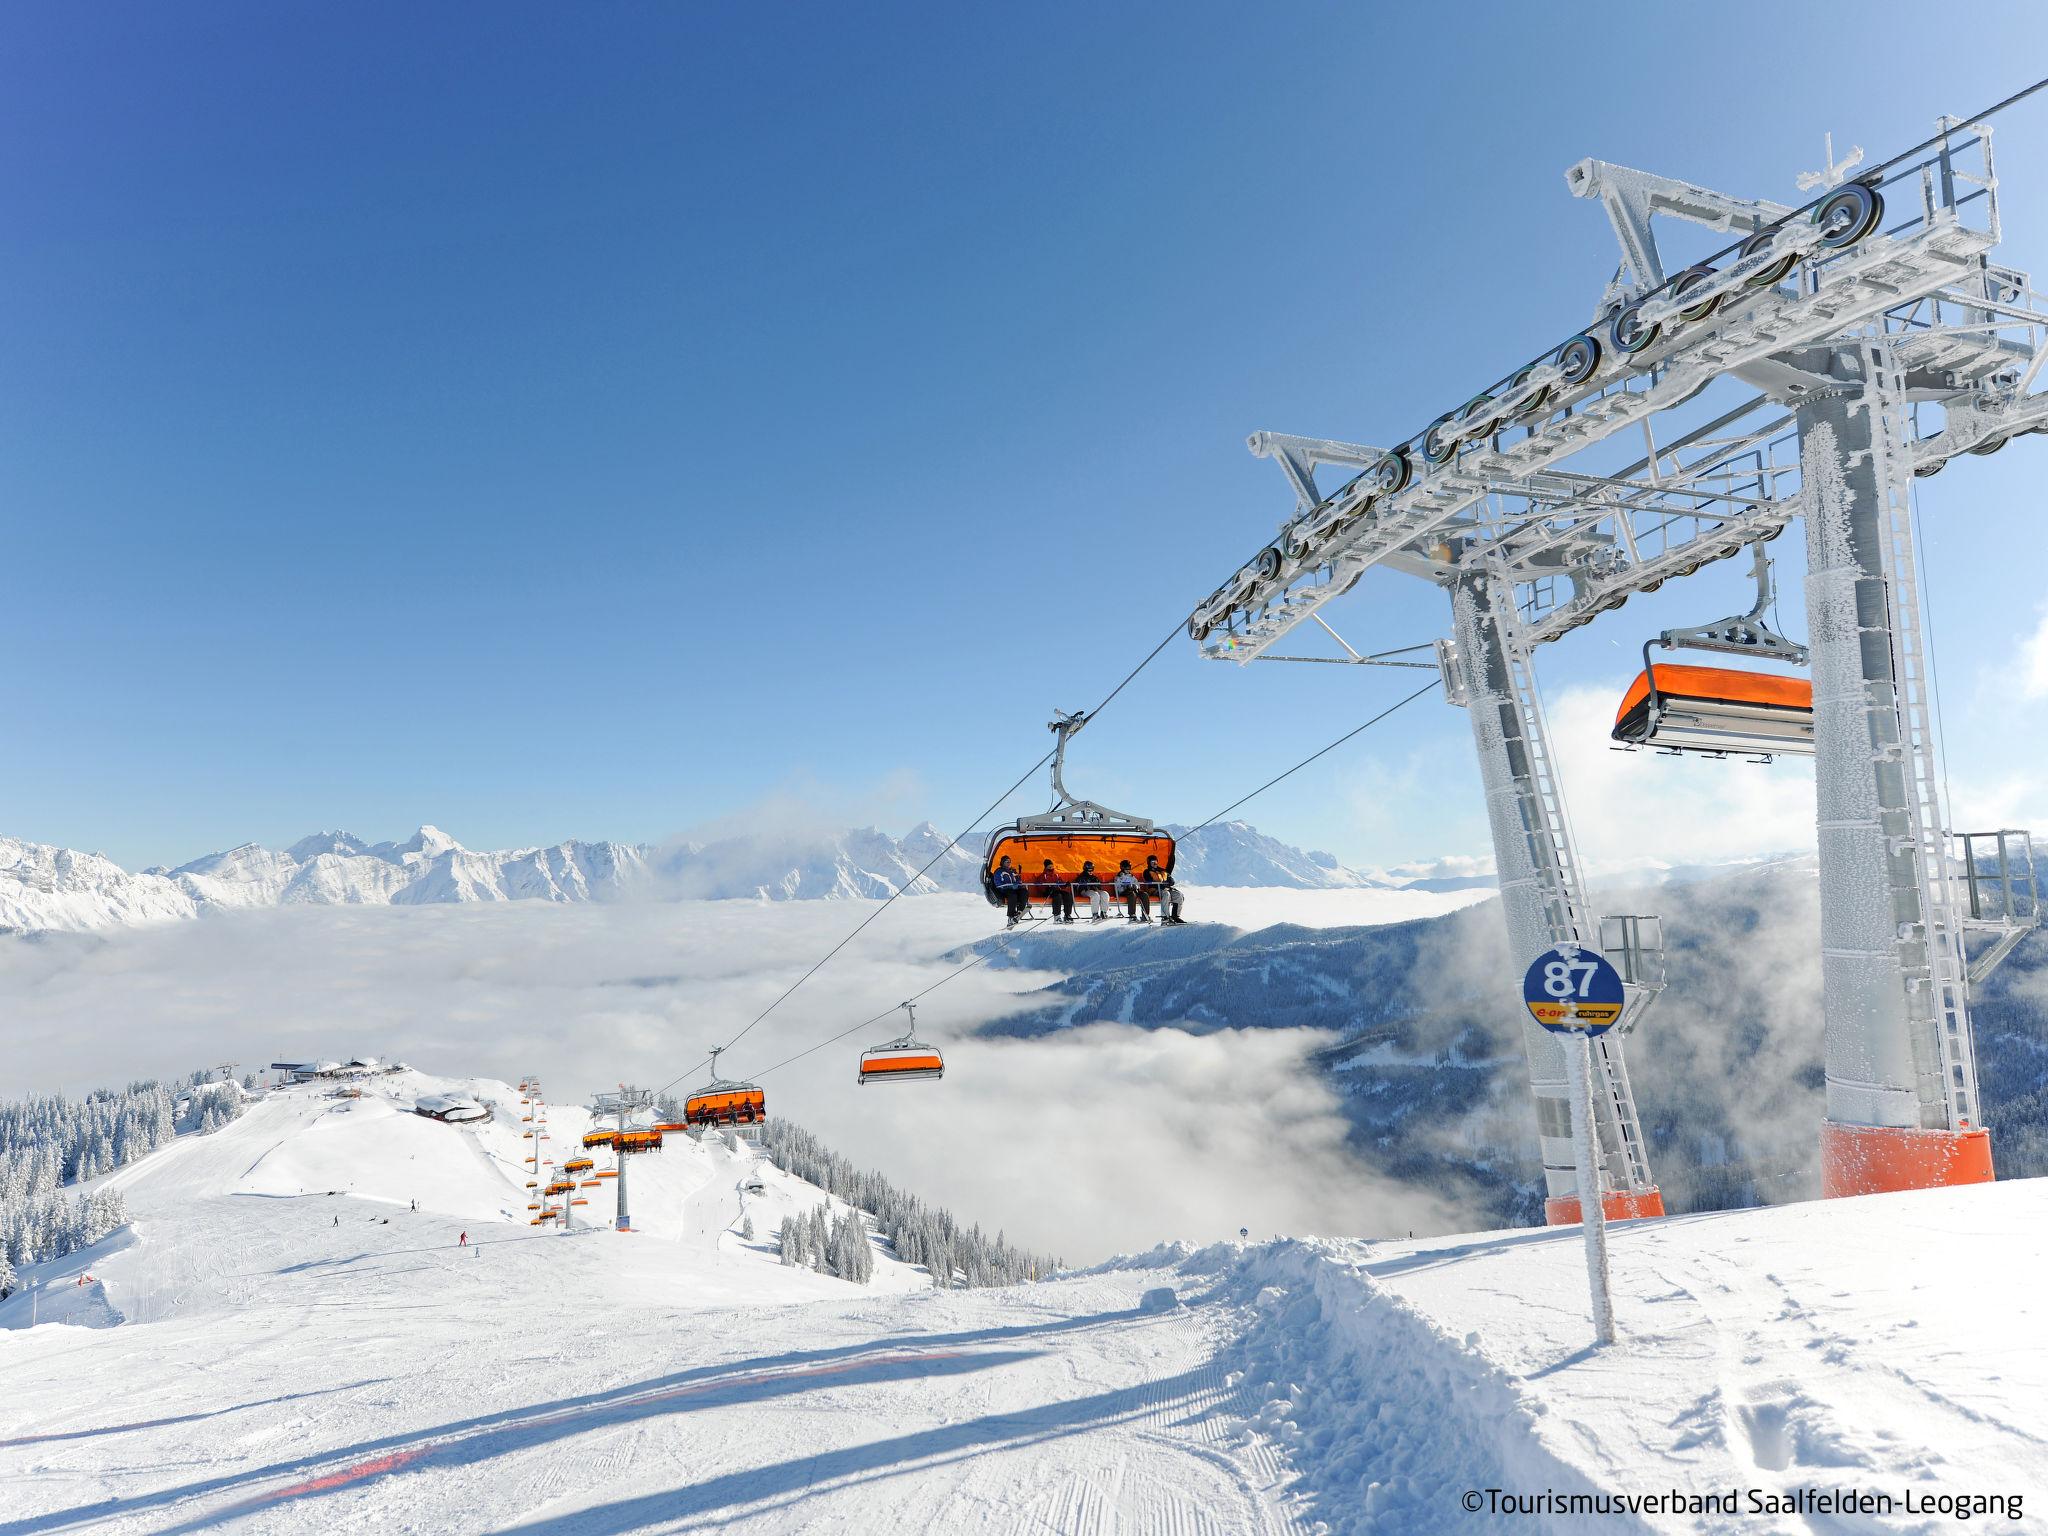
[60,890]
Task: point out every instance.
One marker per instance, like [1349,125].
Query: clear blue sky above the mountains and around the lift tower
[603,421]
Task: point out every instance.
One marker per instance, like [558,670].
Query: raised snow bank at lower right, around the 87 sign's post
[1891,1345]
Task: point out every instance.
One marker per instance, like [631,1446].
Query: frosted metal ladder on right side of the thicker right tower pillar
[1945,974]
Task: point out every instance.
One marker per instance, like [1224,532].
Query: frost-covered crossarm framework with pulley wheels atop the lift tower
[1492,470]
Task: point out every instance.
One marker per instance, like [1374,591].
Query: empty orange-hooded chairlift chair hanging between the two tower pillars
[1721,712]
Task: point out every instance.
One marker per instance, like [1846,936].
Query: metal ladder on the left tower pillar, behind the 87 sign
[1555,857]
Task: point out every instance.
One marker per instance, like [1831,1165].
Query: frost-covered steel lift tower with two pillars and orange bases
[1781,378]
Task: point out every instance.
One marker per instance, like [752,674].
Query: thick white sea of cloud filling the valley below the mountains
[1086,1144]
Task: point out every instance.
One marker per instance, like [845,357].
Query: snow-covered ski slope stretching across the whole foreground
[261,1355]
